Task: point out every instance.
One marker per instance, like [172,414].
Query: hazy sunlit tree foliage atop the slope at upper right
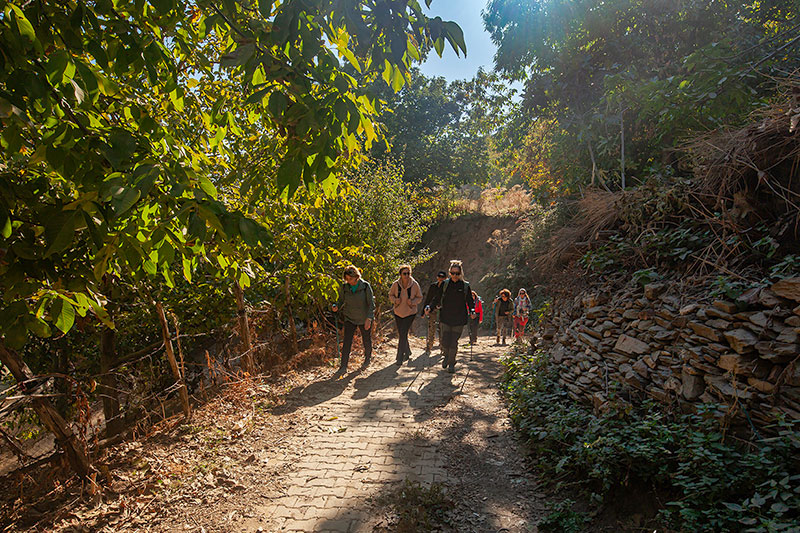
[652,73]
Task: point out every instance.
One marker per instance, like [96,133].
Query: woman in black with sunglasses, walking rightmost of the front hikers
[457,306]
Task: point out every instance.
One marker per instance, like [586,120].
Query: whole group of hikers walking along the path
[450,304]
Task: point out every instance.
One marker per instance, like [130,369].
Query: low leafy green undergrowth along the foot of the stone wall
[706,479]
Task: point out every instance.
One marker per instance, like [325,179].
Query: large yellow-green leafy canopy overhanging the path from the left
[122,122]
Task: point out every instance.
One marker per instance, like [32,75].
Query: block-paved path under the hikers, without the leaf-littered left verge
[375,428]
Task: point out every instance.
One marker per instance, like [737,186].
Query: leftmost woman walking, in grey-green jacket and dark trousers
[357,304]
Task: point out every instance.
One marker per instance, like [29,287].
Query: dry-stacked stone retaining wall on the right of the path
[743,354]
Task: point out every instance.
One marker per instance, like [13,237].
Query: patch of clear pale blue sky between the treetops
[480,49]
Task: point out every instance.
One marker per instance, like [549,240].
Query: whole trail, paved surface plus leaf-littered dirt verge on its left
[332,457]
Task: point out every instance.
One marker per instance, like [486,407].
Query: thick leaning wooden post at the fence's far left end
[76,453]
